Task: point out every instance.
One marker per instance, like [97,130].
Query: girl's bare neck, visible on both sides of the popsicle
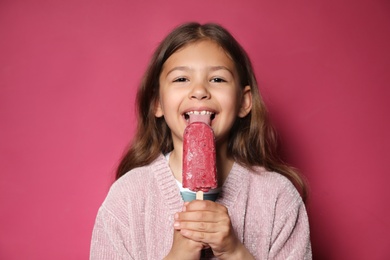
[224,164]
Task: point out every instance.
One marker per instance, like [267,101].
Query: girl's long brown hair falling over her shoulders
[252,140]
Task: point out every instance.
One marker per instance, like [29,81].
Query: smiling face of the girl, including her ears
[201,77]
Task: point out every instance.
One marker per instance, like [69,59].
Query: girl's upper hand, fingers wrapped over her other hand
[208,223]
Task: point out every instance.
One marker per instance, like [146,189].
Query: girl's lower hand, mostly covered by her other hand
[184,248]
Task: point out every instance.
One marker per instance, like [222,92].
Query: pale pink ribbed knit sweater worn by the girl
[136,219]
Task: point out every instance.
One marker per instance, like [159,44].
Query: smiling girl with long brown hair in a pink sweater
[258,213]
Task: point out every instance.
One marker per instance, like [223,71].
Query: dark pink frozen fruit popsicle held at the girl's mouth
[199,164]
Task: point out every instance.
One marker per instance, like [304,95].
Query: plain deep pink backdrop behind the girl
[68,74]
